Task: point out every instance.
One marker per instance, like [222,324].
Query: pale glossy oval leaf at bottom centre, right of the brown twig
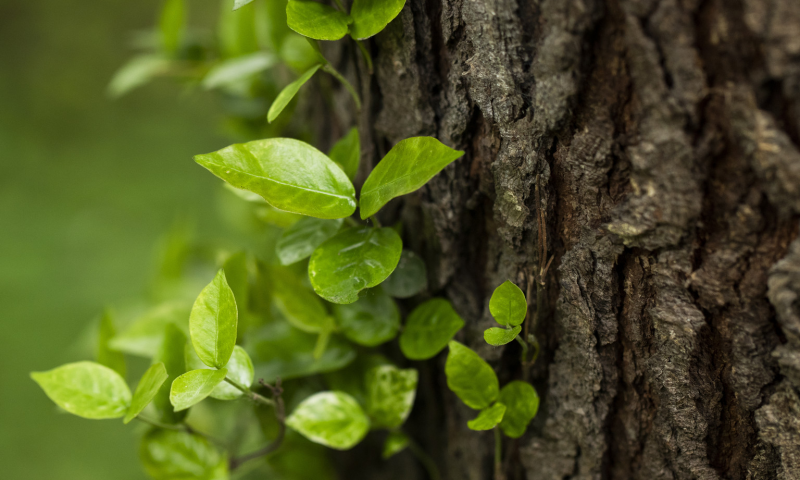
[333,419]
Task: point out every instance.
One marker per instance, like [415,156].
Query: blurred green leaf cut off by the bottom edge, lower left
[173,455]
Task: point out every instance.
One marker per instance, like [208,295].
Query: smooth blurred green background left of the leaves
[87,186]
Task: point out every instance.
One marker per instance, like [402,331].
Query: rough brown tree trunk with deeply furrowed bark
[663,136]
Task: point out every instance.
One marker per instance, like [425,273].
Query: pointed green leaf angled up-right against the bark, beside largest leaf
[408,166]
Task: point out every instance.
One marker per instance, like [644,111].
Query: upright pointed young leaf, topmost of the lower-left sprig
[212,323]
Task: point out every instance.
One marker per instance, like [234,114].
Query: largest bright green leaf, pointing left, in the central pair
[289,174]
